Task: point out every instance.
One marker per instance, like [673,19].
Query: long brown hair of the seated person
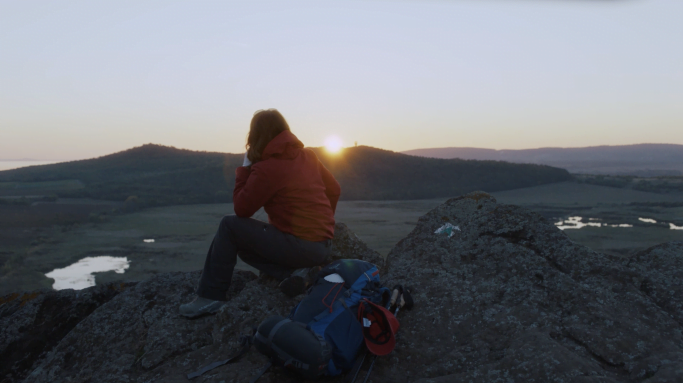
[265,125]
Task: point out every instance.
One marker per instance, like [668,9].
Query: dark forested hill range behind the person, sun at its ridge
[160,175]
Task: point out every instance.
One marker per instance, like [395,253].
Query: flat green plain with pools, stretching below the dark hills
[182,234]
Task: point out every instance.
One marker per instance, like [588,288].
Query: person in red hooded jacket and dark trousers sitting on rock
[300,197]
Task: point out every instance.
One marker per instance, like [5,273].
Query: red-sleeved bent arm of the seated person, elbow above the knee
[253,189]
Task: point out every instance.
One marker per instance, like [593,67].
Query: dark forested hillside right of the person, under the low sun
[370,173]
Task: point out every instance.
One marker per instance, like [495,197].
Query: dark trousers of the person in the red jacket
[260,245]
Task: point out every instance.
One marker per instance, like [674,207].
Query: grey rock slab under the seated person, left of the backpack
[136,334]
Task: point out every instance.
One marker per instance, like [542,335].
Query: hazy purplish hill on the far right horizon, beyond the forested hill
[637,160]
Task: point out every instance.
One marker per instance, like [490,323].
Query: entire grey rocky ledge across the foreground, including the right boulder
[507,298]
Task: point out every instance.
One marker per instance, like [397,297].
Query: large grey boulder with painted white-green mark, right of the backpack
[510,298]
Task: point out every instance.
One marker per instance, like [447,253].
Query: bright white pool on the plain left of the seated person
[80,275]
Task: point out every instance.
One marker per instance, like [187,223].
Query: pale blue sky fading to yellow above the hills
[80,79]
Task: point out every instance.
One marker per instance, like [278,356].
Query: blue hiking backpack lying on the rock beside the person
[322,334]
